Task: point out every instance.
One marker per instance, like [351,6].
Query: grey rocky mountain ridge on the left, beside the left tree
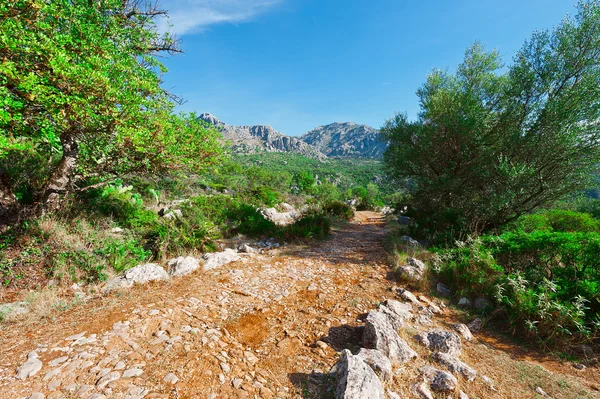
[250,139]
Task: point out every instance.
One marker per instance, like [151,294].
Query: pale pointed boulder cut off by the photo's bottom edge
[356,380]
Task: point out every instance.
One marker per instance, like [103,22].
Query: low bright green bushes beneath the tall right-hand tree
[543,272]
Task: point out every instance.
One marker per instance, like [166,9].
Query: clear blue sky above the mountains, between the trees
[298,64]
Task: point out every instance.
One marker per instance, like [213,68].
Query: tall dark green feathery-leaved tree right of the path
[492,143]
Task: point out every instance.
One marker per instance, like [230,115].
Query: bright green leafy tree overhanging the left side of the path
[80,97]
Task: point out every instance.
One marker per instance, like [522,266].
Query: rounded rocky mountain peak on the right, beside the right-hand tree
[346,140]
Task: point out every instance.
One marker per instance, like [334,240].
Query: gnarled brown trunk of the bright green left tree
[60,180]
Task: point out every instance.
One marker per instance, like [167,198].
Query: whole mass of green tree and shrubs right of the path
[497,165]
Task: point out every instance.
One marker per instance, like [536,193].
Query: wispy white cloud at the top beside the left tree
[190,16]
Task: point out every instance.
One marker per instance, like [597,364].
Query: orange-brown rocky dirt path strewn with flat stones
[269,326]
